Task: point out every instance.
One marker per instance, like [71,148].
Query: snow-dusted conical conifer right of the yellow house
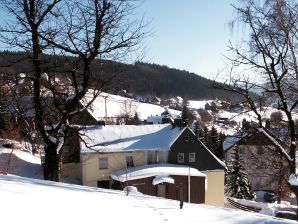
[237,183]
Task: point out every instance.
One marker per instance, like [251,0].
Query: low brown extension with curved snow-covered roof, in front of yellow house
[164,180]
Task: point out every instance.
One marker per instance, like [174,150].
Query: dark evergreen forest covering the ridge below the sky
[139,78]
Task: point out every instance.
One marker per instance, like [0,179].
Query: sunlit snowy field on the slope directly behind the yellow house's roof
[117,105]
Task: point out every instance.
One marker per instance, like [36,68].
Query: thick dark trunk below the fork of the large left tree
[52,163]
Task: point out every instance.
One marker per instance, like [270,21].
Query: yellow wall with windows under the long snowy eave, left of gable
[116,161]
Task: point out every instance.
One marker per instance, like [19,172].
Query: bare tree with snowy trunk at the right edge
[269,54]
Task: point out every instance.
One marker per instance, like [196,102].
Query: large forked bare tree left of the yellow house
[81,31]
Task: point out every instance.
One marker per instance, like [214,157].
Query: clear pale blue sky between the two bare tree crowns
[191,35]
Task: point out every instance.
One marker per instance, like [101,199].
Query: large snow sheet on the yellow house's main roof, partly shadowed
[115,138]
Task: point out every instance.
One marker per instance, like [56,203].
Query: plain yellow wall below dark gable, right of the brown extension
[215,188]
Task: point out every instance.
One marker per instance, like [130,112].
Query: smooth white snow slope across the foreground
[25,200]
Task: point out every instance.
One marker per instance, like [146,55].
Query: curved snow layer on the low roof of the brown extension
[151,170]
